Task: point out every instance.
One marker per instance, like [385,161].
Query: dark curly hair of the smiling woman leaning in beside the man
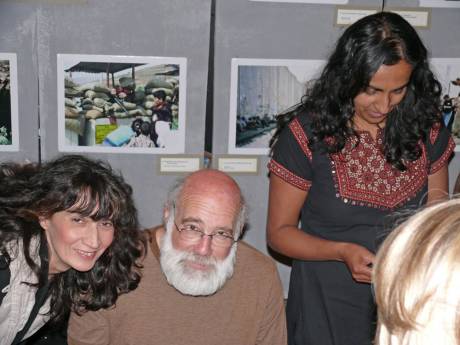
[81,185]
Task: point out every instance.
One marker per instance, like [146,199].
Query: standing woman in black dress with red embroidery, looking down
[366,141]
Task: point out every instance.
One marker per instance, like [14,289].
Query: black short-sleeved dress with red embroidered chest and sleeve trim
[352,197]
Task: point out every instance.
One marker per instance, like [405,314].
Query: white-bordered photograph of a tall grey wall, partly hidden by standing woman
[260,90]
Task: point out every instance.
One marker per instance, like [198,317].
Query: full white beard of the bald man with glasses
[188,280]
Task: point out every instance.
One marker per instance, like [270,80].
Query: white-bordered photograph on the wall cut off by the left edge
[9,133]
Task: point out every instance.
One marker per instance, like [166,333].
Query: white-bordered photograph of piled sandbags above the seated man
[124,104]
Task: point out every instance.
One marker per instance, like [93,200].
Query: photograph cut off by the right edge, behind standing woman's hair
[448,73]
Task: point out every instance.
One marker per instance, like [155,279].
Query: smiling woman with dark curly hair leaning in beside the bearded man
[69,240]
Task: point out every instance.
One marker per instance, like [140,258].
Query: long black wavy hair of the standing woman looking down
[383,38]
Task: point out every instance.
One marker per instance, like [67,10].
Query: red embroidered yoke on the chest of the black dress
[362,176]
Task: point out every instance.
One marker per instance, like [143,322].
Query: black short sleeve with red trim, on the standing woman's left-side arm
[291,160]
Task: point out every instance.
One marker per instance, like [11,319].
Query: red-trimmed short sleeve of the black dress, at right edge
[440,146]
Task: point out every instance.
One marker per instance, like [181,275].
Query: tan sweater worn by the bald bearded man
[248,310]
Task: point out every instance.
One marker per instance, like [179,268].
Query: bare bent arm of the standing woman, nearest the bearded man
[284,236]
